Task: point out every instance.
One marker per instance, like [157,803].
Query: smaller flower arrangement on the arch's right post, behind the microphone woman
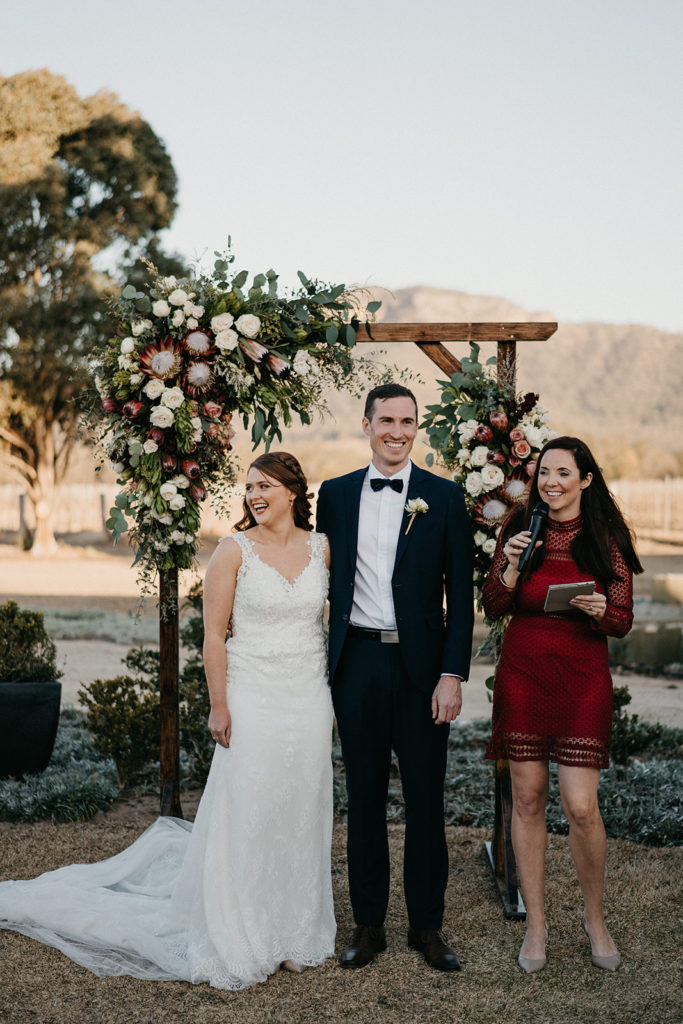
[491,439]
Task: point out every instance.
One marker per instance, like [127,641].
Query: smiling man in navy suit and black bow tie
[397,663]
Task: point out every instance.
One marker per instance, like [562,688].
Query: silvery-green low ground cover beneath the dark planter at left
[76,785]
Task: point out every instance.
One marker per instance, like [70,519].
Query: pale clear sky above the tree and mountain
[524,149]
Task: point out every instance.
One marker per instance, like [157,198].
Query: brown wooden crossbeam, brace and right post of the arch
[431,338]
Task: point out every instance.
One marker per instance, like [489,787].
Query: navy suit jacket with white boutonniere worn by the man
[434,560]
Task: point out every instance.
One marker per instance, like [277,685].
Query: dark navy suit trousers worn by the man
[377,708]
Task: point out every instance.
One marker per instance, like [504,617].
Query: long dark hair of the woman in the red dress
[603,520]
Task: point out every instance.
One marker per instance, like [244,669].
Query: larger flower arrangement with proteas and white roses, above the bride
[189,357]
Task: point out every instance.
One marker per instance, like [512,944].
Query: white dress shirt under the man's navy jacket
[380,517]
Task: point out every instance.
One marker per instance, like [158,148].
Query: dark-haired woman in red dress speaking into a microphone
[553,692]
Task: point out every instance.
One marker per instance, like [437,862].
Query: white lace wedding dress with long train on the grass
[248,886]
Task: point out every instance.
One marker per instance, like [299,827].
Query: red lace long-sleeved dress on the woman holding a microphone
[553,693]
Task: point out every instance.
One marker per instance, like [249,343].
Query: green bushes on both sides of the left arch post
[123,713]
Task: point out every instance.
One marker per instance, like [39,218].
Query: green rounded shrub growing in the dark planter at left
[27,654]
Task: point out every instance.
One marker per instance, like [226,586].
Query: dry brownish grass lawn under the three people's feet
[41,987]
